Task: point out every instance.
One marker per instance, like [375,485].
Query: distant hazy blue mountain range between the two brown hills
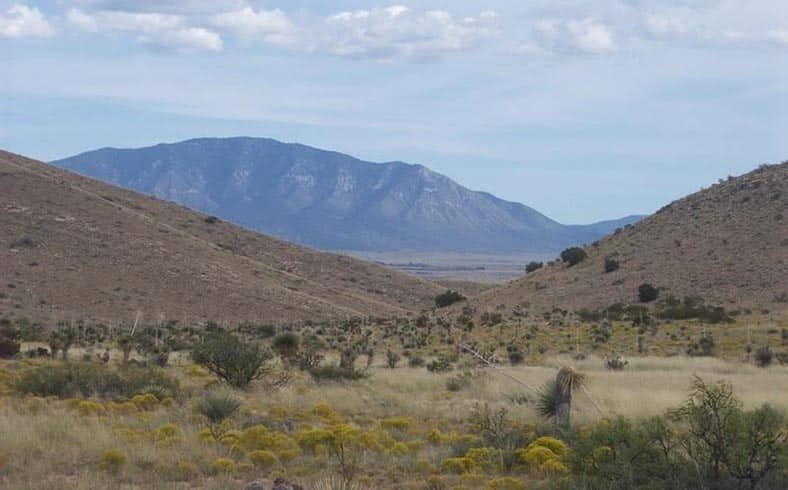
[332,201]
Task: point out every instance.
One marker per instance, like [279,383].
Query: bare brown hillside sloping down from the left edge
[74,248]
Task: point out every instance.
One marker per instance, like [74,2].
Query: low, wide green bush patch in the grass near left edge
[67,380]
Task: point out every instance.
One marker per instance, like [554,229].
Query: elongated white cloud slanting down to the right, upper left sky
[162,31]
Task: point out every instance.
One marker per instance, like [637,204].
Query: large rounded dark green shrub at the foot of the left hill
[236,362]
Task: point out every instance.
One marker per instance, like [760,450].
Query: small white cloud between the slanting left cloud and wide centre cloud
[271,25]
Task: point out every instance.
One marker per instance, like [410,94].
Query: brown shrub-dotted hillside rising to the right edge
[727,244]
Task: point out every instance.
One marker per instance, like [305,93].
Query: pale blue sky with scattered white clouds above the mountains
[584,110]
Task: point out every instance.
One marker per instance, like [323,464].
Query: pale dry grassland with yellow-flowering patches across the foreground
[54,444]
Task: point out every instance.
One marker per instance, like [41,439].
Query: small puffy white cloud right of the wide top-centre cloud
[586,36]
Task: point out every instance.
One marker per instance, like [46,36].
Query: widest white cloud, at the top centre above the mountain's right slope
[401,32]
